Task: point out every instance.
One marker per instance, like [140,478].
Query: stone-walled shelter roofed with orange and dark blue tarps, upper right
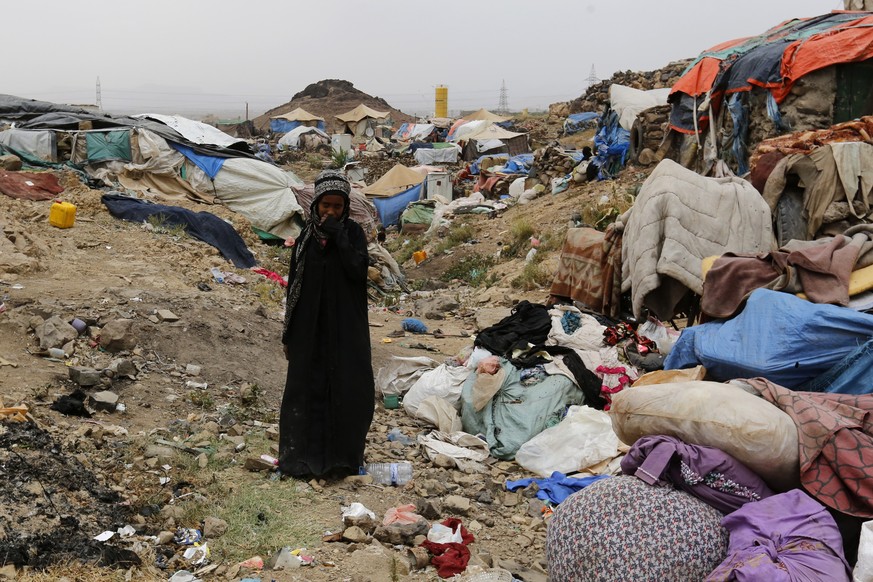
[803,74]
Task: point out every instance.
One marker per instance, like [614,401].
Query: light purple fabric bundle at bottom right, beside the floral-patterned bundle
[788,537]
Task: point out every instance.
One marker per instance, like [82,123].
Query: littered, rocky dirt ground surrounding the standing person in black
[73,477]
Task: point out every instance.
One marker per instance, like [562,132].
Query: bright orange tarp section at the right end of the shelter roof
[847,43]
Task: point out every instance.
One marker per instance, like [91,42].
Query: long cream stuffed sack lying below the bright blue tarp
[712,414]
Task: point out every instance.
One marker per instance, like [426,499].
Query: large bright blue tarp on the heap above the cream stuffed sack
[778,336]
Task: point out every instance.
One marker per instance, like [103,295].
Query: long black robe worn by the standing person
[329,393]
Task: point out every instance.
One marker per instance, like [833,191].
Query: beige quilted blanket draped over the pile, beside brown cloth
[680,218]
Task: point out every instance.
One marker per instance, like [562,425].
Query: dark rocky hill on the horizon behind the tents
[328,98]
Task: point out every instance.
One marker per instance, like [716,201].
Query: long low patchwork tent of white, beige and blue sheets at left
[170,157]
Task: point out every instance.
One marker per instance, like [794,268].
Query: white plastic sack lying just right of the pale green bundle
[584,438]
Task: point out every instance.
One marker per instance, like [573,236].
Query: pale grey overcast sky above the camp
[195,57]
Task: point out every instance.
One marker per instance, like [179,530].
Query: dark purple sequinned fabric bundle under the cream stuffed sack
[707,473]
